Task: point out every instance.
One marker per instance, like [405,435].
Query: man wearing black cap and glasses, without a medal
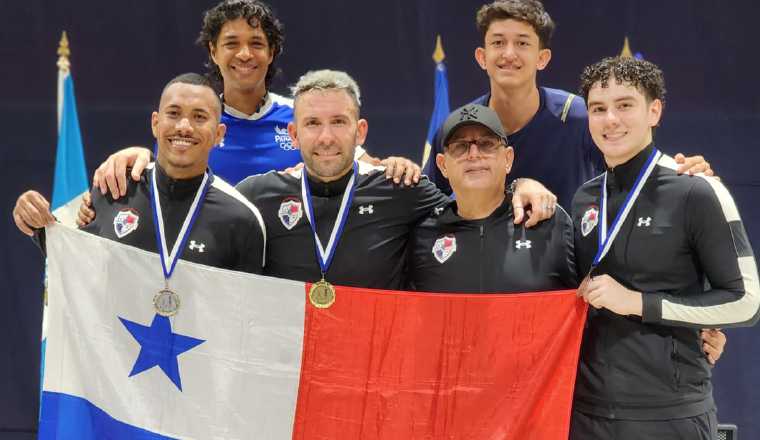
[476,232]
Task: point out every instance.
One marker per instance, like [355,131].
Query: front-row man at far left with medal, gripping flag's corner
[228,231]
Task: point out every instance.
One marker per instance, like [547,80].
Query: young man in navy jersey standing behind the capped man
[547,127]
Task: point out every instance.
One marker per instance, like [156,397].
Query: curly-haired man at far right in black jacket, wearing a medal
[665,255]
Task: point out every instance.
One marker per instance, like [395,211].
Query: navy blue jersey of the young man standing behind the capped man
[555,147]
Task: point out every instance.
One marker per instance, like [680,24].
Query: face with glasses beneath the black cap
[476,168]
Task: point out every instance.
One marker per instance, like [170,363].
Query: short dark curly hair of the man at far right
[642,74]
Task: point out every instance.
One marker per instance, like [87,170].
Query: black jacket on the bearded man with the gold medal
[371,252]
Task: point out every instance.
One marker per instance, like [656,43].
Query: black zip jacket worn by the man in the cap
[492,255]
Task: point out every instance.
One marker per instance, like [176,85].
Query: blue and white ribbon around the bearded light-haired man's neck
[325,254]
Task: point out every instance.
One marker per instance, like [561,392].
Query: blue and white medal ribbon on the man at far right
[605,238]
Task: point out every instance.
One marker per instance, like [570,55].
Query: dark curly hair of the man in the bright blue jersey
[256,13]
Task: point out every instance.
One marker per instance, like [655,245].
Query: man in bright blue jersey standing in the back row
[244,39]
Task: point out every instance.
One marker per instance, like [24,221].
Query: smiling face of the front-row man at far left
[186,127]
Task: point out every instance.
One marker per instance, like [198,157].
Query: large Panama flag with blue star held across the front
[249,357]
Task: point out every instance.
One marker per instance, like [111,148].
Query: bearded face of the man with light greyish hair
[327,130]
